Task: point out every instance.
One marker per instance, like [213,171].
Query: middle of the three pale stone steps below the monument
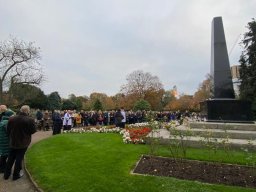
[216,133]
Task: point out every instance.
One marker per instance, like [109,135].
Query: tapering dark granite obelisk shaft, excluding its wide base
[220,67]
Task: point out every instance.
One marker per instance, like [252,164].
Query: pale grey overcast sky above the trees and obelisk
[91,46]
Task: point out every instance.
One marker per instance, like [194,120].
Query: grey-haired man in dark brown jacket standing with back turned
[19,129]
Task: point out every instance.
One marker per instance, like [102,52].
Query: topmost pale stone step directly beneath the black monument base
[224,126]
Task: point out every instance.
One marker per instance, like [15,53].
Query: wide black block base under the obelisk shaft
[227,110]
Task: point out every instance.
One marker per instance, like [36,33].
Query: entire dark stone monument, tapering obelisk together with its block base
[223,106]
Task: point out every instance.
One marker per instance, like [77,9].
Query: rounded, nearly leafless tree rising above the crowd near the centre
[139,83]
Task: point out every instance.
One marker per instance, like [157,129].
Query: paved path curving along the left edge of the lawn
[23,184]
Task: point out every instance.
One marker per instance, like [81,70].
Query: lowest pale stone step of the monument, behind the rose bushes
[198,142]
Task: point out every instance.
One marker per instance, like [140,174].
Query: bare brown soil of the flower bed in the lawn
[202,171]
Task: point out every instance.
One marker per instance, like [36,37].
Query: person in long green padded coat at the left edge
[4,140]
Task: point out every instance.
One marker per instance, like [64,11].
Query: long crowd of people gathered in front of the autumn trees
[68,119]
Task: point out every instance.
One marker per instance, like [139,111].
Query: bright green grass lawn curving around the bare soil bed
[96,162]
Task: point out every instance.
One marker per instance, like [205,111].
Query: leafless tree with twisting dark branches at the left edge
[19,63]
